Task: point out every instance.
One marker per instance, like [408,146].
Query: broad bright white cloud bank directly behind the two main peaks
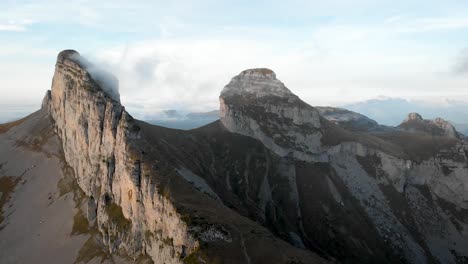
[189,74]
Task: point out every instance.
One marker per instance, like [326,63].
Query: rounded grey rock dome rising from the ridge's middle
[258,105]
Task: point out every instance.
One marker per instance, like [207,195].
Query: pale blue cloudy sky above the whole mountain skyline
[180,54]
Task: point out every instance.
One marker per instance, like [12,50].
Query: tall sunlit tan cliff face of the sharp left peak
[100,142]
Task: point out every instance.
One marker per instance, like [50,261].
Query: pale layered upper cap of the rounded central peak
[257,82]
